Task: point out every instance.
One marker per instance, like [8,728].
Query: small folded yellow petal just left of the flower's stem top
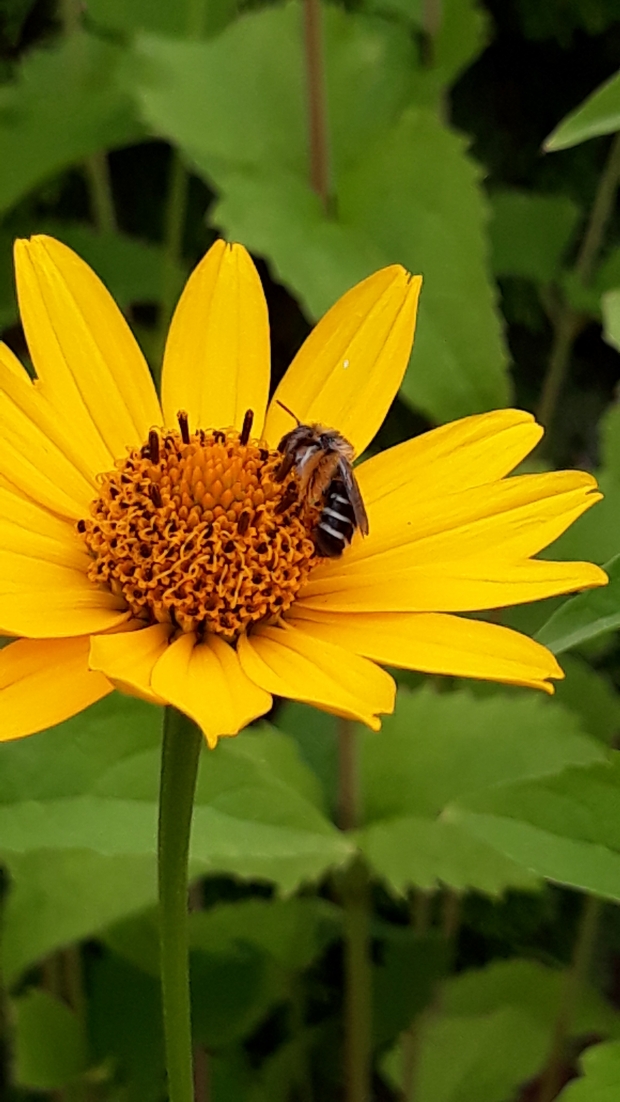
[128,658]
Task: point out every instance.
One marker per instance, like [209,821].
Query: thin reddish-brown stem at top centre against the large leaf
[319,139]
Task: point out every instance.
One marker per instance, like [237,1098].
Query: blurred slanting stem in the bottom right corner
[552,1078]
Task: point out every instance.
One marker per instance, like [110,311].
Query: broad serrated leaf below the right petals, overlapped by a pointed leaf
[436,750]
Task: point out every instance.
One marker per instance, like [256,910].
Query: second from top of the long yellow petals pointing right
[516,518]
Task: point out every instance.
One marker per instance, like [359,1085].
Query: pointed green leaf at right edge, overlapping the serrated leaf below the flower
[565,828]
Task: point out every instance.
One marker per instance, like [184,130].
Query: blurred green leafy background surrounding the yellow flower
[486,813]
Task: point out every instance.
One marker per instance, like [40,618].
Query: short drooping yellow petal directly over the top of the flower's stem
[206,682]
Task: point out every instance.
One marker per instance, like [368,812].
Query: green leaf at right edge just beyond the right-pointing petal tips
[586,617]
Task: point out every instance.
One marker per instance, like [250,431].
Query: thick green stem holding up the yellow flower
[181,750]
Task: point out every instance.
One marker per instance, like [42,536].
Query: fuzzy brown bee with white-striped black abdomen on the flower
[323,461]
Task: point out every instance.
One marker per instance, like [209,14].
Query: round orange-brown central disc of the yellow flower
[194,530]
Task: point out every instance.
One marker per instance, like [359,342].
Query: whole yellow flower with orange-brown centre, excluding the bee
[168,557]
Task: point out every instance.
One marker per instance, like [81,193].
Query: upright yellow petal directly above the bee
[349,372]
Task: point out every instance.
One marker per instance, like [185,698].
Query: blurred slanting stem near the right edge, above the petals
[569,322]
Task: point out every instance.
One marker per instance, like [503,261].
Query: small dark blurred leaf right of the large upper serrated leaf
[530,234]
